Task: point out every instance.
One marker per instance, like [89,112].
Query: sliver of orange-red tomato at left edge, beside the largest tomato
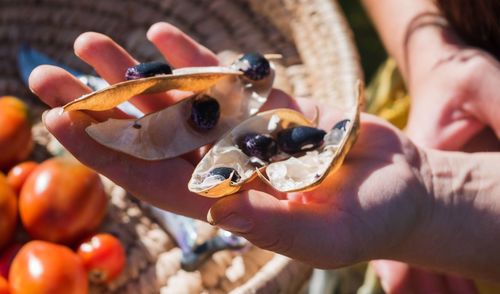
[8,211]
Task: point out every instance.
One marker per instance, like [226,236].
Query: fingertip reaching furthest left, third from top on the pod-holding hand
[55,86]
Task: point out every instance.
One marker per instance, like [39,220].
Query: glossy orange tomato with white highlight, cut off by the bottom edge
[45,268]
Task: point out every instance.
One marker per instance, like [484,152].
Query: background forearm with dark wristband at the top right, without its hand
[412,31]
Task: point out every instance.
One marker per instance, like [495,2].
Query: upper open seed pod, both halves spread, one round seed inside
[223,98]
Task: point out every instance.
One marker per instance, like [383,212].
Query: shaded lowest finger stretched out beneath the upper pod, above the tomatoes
[161,183]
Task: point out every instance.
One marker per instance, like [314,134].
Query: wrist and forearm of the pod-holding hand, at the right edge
[461,230]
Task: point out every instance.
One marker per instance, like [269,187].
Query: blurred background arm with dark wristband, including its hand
[452,84]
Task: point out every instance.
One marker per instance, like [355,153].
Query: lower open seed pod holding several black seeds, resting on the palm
[304,157]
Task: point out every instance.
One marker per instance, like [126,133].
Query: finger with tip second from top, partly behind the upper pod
[111,62]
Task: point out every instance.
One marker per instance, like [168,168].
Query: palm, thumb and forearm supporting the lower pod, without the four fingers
[389,200]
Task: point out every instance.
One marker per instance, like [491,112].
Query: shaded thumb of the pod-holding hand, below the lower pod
[303,232]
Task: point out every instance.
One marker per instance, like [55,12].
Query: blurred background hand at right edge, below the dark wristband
[453,89]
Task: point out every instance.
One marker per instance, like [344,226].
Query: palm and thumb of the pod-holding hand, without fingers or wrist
[367,209]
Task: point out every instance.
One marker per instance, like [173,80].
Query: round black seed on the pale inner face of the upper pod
[205,113]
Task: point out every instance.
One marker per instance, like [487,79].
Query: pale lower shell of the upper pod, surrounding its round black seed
[169,133]
